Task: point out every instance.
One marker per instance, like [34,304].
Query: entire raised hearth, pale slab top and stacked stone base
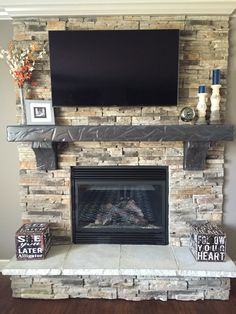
[131,272]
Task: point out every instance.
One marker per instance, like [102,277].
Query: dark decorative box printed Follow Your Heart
[207,242]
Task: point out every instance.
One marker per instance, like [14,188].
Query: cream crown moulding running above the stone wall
[28,8]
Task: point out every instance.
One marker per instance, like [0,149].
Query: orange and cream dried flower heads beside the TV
[22,61]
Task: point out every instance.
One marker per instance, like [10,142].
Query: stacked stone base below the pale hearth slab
[133,288]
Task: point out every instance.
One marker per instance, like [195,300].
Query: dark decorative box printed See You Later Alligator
[33,241]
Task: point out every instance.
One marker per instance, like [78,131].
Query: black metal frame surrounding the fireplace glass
[121,236]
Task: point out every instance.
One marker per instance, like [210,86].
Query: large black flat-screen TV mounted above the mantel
[123,67]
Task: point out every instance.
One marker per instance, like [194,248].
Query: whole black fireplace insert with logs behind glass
[123,205]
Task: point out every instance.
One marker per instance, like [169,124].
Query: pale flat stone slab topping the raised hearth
[115,259]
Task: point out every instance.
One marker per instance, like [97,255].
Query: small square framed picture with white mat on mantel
[39,112]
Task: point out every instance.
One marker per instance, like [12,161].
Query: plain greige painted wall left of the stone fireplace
[9,201]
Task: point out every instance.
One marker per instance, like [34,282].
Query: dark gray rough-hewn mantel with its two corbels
[196,138]
